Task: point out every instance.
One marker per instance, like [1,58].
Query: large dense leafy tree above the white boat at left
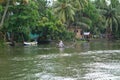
[21,17]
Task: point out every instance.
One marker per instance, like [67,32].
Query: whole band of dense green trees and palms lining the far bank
[53,21]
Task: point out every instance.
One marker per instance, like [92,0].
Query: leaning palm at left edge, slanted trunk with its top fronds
[6,4]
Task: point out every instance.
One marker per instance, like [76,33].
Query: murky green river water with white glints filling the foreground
[99,60]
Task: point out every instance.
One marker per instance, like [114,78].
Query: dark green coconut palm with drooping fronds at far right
[112,17]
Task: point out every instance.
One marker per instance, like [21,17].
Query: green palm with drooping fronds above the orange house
[83,15]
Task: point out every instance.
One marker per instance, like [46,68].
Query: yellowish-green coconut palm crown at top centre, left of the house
[64,10]
